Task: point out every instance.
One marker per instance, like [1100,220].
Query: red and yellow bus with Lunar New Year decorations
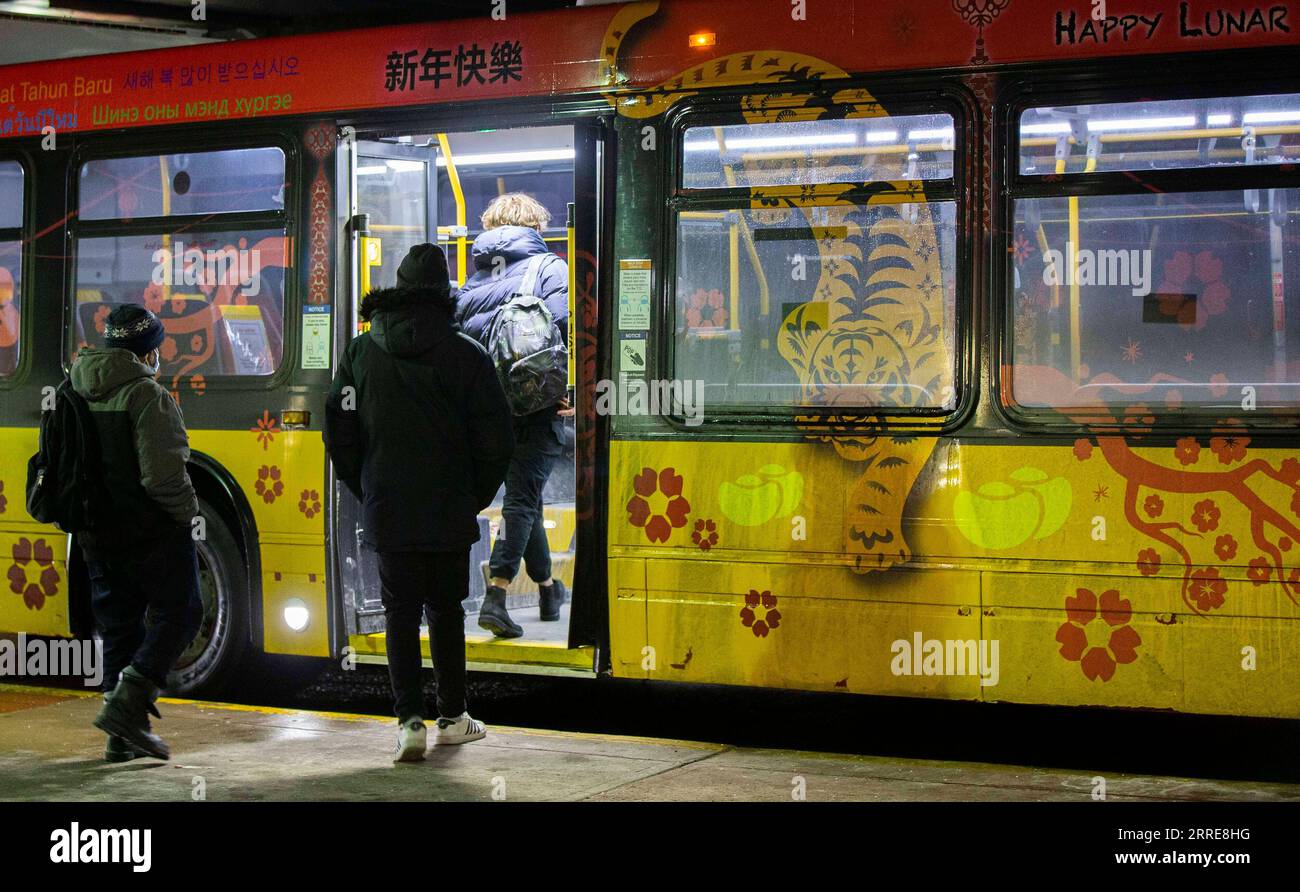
[942,350]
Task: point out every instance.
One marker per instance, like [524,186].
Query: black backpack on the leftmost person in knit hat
[64,483]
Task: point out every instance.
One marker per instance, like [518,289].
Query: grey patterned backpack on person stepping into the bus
[527,347]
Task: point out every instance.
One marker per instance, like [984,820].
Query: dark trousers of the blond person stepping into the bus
[523,535]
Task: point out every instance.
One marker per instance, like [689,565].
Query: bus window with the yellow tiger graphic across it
[829,301]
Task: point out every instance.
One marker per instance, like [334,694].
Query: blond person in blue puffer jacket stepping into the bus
[514,226]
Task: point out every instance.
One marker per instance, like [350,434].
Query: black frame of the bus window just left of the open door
[203,140]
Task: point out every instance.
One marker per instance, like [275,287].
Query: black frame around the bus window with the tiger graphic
[903,96]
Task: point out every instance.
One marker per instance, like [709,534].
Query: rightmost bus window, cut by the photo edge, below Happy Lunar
[1169,301]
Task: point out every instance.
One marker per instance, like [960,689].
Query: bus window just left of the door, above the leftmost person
[219,291]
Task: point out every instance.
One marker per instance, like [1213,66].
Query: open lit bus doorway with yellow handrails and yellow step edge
[431,187]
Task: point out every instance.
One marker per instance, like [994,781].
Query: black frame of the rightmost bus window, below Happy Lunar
[1091,83]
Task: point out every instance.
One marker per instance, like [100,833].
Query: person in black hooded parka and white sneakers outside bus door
[421,431]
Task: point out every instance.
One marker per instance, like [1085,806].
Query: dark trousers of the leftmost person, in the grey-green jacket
[148,607]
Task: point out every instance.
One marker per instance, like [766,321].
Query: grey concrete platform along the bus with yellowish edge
[50,752]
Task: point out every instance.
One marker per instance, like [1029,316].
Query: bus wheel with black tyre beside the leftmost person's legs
[214,660]
